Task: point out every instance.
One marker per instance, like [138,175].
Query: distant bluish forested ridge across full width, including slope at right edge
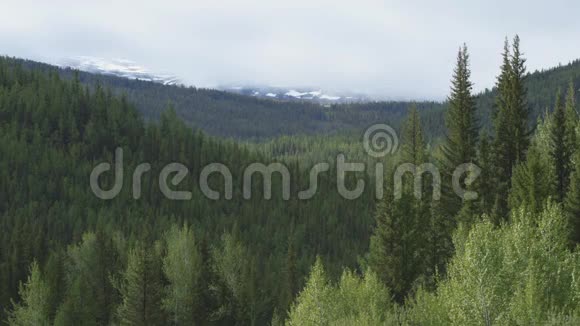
[229,115]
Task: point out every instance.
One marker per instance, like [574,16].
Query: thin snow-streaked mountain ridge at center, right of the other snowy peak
[296,93]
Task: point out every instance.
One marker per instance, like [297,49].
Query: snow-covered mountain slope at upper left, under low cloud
[117,67]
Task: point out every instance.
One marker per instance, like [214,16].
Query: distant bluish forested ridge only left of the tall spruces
[230,115]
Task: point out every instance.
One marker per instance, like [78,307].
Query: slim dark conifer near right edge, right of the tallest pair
[561,152]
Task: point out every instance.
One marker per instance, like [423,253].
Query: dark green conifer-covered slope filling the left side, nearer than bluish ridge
[251,255]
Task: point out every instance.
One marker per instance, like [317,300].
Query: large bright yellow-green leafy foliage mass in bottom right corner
[521,273]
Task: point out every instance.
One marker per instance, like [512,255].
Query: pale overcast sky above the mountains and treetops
[396,49]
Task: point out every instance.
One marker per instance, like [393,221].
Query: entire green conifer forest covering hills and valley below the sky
[507,256]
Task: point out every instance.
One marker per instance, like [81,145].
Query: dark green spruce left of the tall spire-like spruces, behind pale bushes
[398,250]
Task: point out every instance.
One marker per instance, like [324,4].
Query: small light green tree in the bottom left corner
[34,306]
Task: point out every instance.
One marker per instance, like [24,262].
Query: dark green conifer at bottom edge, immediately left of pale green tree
[142,289]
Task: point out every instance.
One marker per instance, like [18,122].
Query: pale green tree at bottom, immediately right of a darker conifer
[182,268]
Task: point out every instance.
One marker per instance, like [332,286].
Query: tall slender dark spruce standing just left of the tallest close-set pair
[462,128]
